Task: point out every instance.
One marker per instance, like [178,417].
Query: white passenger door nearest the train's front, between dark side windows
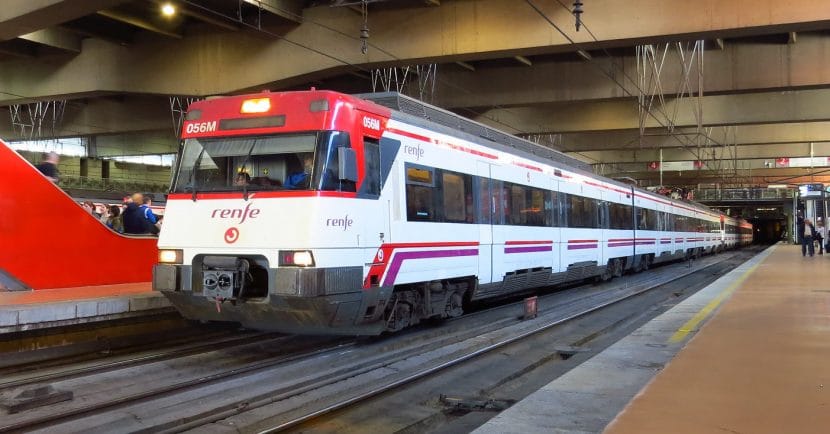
[485,209]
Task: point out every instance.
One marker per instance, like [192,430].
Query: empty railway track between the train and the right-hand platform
[267,392]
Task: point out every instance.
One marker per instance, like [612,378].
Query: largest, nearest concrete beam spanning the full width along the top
[452,32]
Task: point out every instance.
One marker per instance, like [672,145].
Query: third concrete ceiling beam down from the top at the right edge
[622,114]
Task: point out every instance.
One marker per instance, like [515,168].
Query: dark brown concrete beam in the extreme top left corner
[19,17]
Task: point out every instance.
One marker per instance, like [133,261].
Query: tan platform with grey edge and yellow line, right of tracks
[761,363]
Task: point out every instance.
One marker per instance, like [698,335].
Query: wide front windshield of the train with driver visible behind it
[284,162]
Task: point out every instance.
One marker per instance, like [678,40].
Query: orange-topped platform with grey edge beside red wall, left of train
[46,308]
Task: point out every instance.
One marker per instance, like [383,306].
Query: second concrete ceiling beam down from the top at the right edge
[739,67]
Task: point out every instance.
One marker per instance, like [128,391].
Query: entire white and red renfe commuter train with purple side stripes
[323,213]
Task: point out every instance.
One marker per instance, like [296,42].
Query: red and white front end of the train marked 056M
[267,216]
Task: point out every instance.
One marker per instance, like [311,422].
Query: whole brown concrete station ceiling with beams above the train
[740,90]
